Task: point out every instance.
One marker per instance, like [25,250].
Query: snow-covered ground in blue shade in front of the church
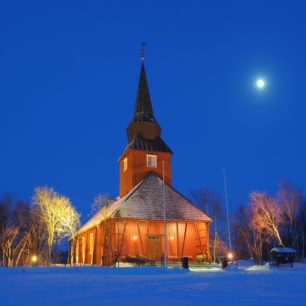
[80,286]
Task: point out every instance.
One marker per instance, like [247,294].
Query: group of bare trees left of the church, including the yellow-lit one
[28,231]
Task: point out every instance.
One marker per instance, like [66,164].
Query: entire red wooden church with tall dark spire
[150,221]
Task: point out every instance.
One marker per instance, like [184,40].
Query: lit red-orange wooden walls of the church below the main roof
[128,237]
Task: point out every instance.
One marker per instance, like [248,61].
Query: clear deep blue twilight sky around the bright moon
[69,72]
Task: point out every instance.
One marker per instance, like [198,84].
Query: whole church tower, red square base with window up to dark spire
[146,152]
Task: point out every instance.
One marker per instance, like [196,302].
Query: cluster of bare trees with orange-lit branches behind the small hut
[267,219]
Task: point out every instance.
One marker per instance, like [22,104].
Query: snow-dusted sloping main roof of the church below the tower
[146,201]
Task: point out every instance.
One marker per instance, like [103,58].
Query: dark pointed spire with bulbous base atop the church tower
[143,122]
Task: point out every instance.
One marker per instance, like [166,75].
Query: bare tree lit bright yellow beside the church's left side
[59,216]
